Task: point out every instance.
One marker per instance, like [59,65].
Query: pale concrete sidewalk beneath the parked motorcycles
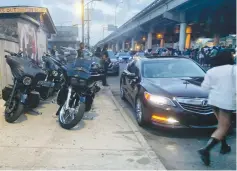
[105,139]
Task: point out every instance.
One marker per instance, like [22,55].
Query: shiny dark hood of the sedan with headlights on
[178,87]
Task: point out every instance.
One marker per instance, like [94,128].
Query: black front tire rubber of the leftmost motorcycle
[12,116]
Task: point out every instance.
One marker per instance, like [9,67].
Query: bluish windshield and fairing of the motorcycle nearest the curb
[79,68]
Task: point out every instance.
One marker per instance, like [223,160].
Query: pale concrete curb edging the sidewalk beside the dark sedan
[150,152]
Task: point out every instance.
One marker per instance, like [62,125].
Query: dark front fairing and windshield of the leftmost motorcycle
[22,66]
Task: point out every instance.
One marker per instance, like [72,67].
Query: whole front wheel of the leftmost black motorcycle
[13,111]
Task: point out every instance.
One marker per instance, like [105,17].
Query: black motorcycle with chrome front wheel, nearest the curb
[78,91]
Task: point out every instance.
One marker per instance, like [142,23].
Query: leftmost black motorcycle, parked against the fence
[22,94]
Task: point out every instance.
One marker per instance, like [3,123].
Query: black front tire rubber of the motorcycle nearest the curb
[76,120]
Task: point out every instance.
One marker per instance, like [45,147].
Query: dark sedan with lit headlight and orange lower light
[166,91]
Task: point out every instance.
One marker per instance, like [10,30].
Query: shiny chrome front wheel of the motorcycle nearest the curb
[65,115]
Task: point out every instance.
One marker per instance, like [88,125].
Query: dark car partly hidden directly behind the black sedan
[114,65]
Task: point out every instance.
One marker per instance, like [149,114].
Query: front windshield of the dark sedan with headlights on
[171,68]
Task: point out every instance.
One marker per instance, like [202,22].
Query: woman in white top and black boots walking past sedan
[220,82]
